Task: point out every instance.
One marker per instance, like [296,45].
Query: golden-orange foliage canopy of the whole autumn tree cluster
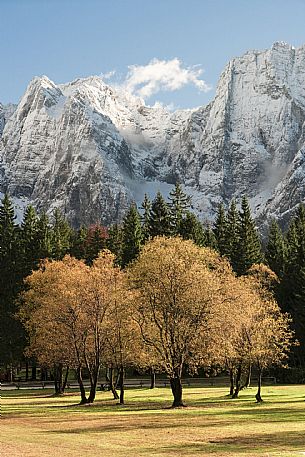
[177,304]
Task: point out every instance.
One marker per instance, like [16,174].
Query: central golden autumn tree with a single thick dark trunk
[177,284]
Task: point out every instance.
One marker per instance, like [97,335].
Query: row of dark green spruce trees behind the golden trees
[233,234]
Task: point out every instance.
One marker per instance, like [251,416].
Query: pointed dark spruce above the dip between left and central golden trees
[132,235]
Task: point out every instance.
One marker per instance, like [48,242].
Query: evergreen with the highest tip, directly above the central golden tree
[179,204]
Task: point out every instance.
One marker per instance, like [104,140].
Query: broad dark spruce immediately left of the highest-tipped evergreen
[160,217]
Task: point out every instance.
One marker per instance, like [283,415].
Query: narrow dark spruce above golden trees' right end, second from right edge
[275,249]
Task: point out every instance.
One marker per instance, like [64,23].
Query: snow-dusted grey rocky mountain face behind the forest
[90,149]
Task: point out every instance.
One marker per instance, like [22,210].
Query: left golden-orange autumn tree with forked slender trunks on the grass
[68,311]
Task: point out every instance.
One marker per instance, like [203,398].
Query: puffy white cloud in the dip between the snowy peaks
[161,75]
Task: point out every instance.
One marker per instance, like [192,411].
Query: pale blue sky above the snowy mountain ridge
[66,39]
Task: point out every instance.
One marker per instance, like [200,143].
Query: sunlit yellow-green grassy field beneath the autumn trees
[37,424]
